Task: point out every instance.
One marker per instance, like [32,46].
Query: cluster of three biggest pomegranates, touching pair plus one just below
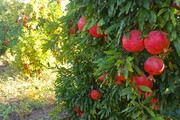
[156,43]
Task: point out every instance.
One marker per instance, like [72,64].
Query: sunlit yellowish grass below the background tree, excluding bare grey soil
[22,95]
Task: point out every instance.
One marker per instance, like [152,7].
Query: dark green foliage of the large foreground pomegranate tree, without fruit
[88,57]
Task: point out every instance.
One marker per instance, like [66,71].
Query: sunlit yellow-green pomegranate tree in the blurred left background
[32,28]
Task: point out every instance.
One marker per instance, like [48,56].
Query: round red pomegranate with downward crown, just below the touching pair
[154,66]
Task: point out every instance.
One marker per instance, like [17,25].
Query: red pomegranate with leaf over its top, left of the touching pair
[134,44]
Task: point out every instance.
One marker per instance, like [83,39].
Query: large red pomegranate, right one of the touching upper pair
[157,42]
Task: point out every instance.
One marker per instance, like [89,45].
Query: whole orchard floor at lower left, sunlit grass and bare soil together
[26,99]
